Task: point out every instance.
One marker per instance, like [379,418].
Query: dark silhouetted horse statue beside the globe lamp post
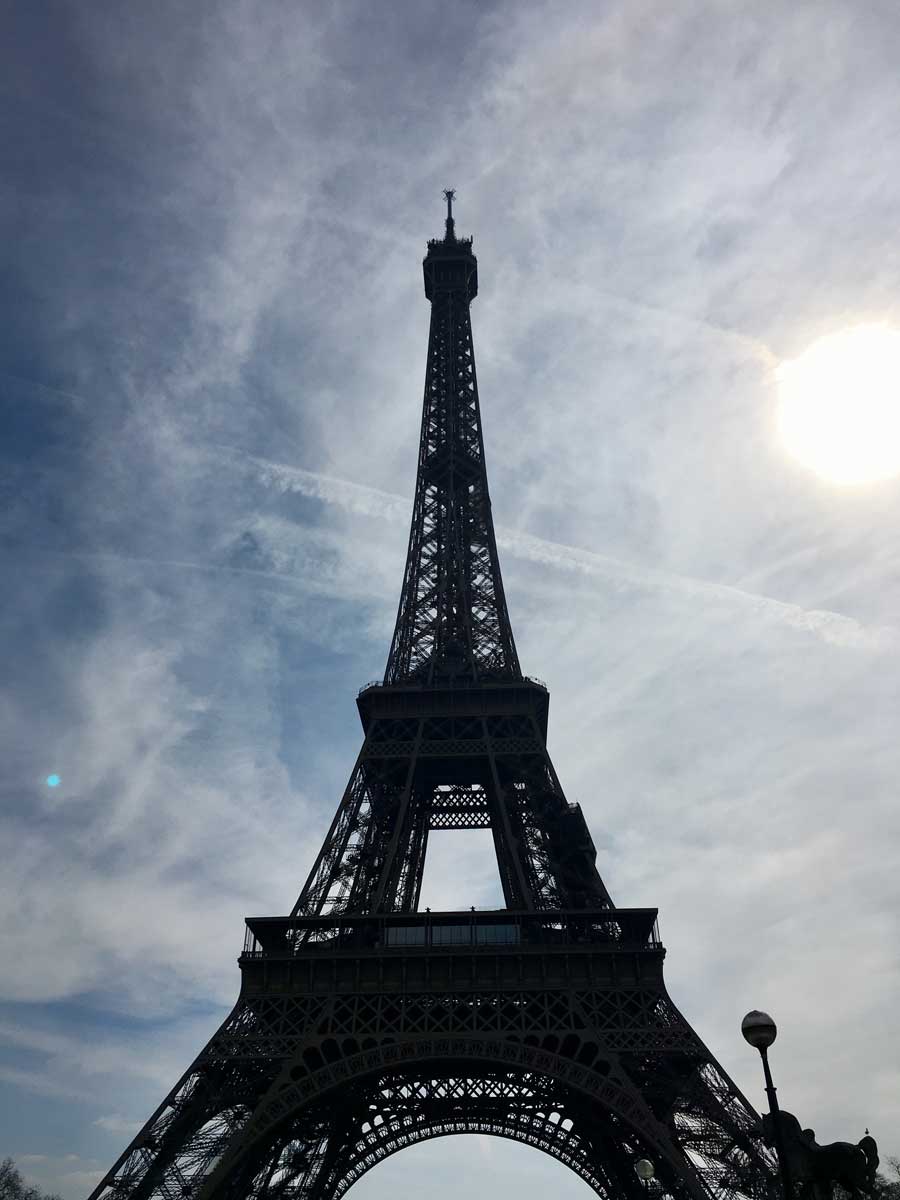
[817,1169]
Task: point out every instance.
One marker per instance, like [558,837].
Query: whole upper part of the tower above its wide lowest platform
[451,761]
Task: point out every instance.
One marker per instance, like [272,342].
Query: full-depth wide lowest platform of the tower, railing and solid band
[431,953]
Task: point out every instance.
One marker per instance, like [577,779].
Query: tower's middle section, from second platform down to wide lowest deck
[427,772]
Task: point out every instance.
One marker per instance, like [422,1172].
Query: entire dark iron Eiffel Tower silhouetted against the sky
[365,1025]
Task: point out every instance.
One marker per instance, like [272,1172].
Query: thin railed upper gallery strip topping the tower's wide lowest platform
[623,929]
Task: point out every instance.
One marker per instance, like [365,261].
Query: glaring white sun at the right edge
[839,405]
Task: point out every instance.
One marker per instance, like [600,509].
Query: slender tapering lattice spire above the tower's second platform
[453,619]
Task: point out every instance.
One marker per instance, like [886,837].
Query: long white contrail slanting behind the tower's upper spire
[832,627]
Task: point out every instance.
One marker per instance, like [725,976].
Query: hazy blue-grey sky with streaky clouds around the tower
[212,361]
